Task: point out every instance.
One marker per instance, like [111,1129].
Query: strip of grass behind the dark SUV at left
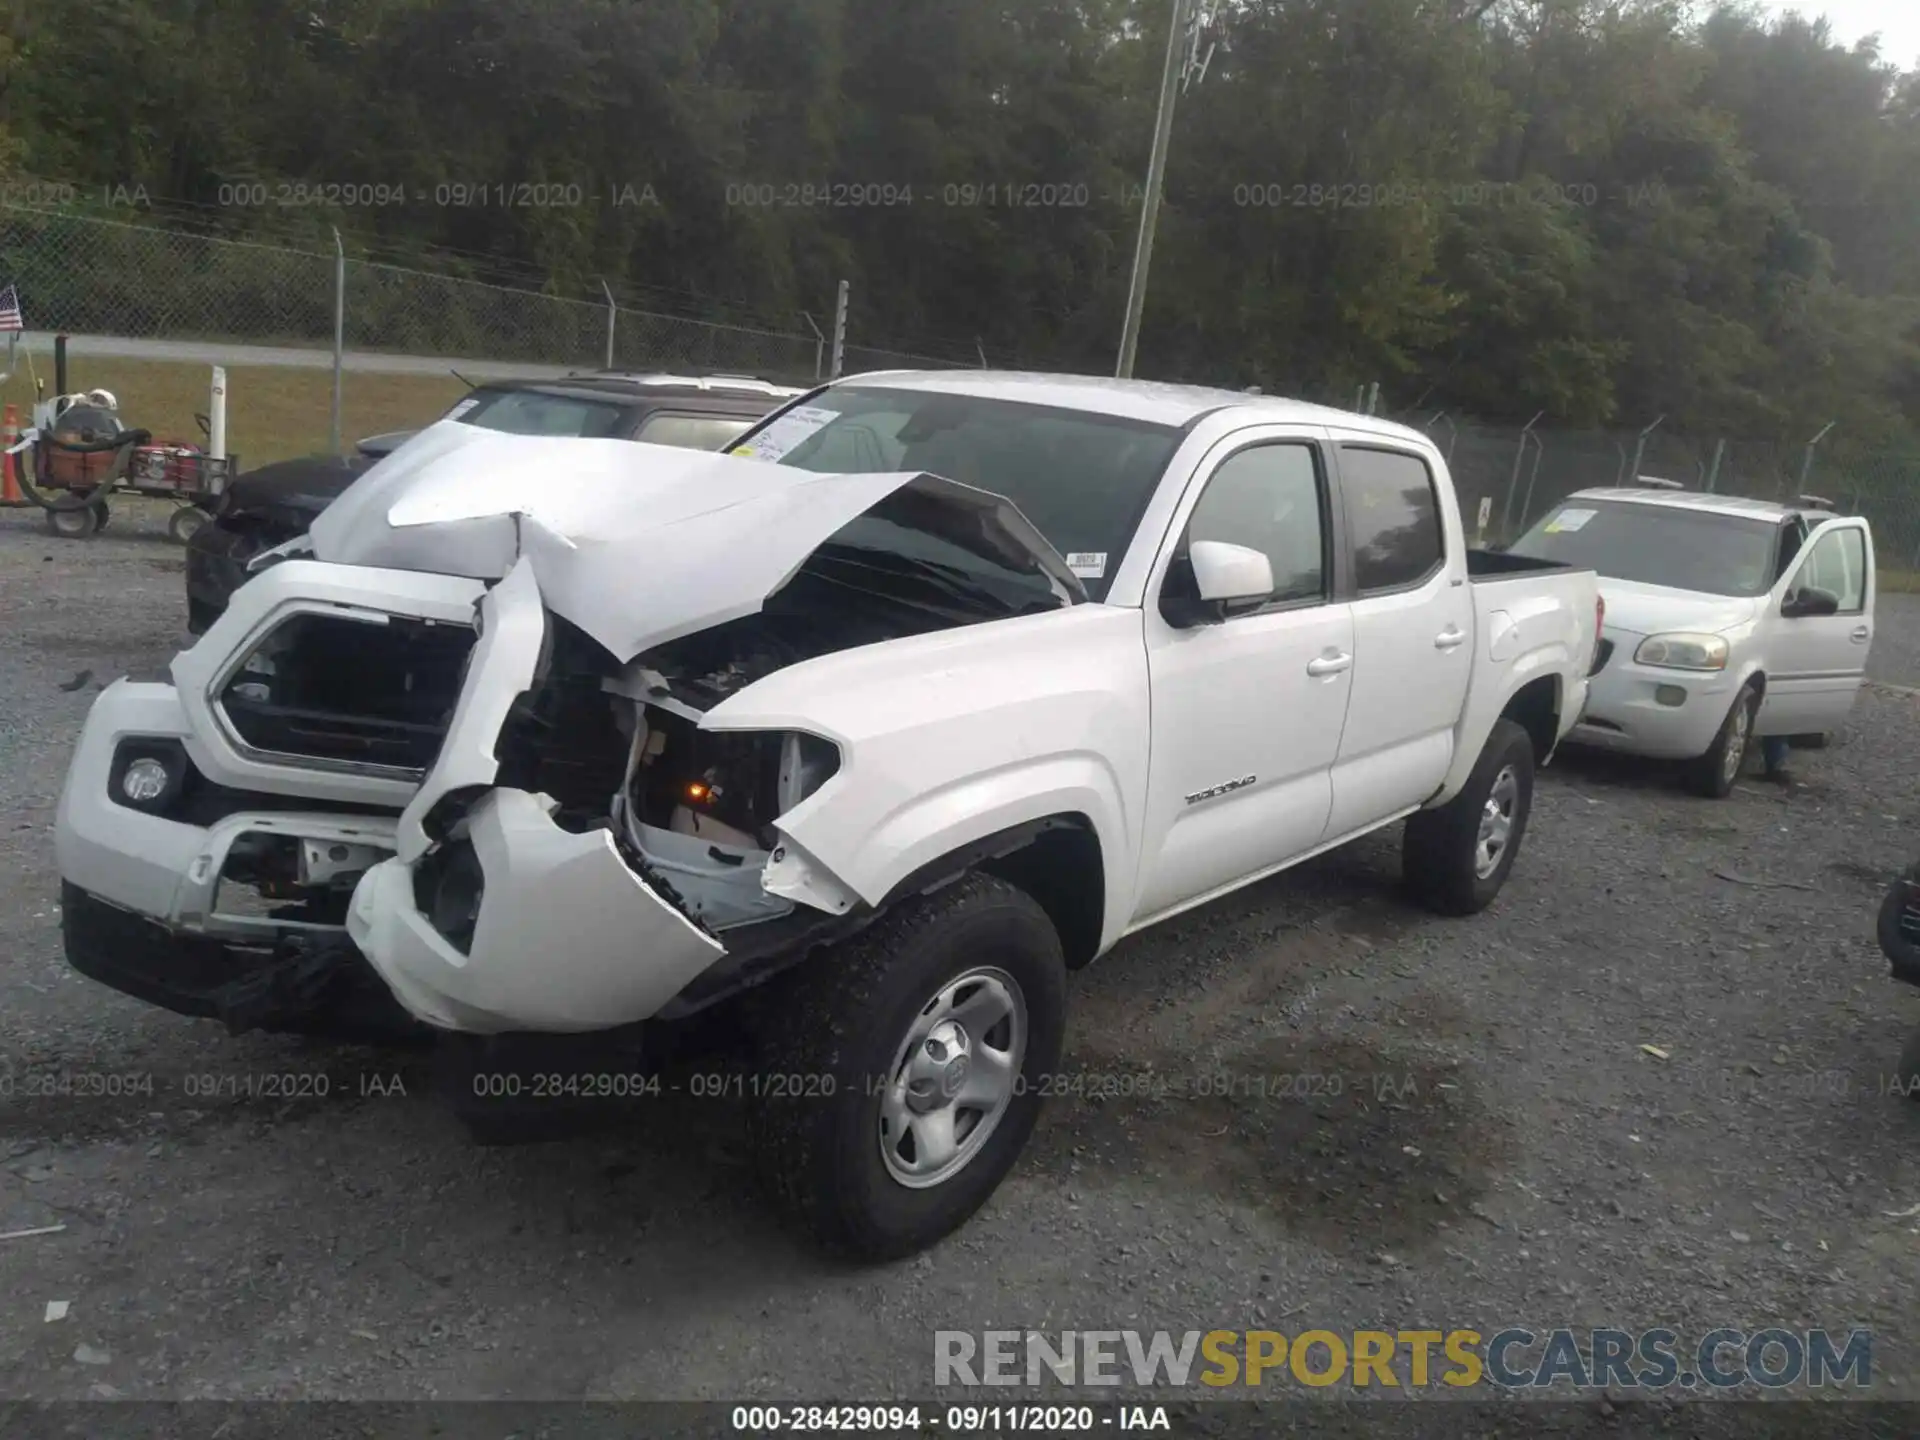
[274,412]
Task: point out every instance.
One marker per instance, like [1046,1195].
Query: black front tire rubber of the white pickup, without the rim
[838,1026]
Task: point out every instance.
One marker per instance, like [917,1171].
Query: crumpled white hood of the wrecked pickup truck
[636,544]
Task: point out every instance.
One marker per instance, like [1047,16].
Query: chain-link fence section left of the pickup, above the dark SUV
[101,277]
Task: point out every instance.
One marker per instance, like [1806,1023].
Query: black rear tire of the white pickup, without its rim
[1441,850]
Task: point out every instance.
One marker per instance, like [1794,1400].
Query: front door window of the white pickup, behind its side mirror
[1268,498]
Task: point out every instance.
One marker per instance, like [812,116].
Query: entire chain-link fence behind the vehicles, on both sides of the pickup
[101,277]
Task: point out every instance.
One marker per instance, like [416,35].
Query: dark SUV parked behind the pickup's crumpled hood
[274,504]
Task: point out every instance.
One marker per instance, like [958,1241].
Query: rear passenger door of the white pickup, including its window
[1414,635]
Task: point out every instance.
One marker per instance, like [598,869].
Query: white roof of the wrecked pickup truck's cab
[1136,400]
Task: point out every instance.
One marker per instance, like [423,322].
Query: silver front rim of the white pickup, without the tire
[953,1078]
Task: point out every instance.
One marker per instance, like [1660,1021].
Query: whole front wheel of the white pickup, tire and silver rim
[903,1072]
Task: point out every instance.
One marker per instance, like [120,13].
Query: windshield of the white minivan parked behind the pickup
[1658,546]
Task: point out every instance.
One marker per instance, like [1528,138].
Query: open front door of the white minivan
[1815,663]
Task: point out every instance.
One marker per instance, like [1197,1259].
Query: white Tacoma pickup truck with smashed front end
[863,734]
